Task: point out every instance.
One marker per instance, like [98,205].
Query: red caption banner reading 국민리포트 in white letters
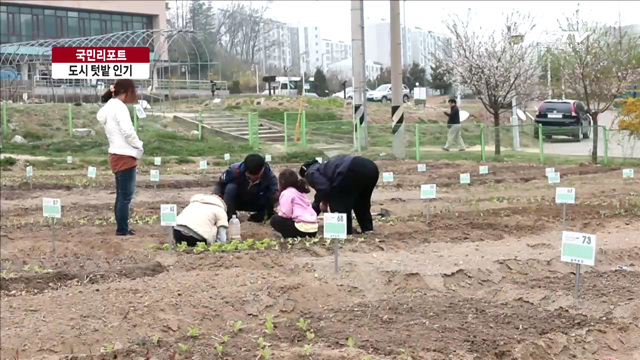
[100,55]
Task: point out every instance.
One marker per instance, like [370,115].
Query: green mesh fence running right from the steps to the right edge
[422,140]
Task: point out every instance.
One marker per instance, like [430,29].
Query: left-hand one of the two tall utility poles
[357,64]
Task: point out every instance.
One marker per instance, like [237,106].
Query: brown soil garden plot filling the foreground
[482,279]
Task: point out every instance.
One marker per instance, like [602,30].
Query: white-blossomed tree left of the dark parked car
[495,66]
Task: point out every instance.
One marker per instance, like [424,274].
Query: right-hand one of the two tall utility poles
[397,110]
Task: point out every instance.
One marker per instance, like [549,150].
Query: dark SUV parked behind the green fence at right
[564,117]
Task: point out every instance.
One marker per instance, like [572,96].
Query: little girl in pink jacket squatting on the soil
[296,217]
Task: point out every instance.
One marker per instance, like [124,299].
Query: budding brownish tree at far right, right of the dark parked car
[597,69]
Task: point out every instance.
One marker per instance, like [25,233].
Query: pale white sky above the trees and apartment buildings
[334,17]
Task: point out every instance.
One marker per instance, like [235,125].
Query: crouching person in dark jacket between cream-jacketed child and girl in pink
[249,186]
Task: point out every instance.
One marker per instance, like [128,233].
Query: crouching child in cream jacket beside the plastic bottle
[203,220]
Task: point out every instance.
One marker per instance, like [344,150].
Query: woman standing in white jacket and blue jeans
[125,148]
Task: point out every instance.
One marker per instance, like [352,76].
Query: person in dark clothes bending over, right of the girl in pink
[343,184]
